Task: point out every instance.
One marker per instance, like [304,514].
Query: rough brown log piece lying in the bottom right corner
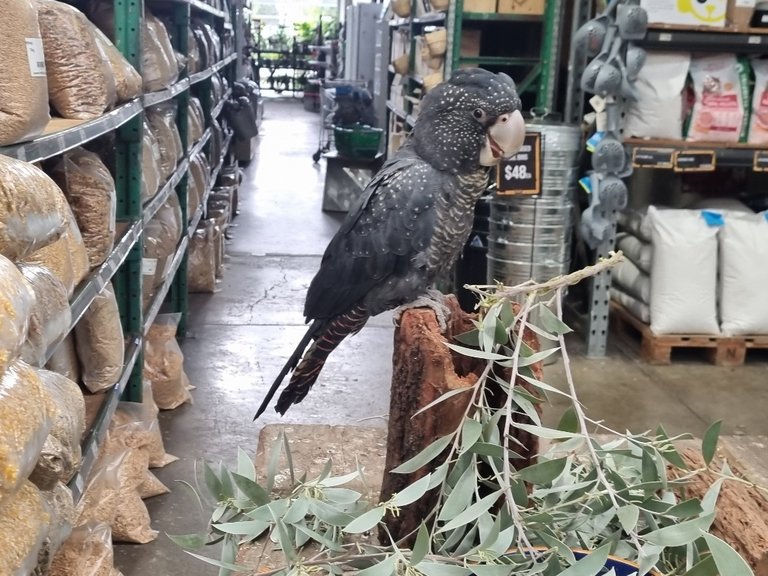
[742,512]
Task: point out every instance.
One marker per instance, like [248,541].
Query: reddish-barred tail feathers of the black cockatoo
[327,340]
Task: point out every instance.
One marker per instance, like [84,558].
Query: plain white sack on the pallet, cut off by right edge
[744,274]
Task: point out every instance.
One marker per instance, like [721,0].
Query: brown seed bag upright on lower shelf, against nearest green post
[100,342]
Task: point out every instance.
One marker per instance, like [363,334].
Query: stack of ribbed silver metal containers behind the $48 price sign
[530,237]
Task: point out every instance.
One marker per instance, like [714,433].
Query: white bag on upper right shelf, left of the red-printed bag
[658,111]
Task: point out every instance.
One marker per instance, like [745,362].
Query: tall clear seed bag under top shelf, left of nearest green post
[90,189]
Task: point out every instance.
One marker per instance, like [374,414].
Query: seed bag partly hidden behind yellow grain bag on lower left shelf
[61,454]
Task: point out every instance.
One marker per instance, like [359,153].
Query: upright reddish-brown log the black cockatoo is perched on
[424,369]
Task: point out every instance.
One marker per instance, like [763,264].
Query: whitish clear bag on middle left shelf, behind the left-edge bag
[50,315]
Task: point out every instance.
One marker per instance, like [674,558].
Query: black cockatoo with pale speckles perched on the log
[411,221]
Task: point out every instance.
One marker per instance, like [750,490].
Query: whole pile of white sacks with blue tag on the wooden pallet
[695,271]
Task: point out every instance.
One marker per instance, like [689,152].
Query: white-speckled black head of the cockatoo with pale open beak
[471,120]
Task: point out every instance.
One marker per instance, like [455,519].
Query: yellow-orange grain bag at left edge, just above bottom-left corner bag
[27,414]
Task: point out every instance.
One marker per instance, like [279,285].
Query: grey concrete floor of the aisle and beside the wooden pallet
[240,336]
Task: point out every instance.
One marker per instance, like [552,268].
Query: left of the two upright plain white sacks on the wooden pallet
[683,273]
